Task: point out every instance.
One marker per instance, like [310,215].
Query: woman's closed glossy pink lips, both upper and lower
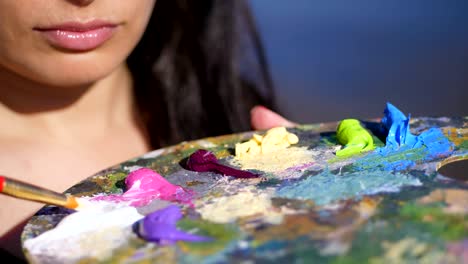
[77,37]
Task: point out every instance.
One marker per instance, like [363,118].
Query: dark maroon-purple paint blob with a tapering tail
[204,161]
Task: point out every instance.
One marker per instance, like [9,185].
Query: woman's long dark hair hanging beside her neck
[198,70]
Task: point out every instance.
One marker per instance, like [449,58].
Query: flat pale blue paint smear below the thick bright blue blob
[326,187]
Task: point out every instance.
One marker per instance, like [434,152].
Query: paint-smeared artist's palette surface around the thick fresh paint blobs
[308,205]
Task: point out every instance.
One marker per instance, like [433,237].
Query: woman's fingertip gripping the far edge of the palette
[262,118]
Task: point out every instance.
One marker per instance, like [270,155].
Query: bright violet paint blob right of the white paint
[160,227]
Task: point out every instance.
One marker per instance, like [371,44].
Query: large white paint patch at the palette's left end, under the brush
[92,233]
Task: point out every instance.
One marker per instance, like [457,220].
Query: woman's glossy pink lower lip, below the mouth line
[78,40]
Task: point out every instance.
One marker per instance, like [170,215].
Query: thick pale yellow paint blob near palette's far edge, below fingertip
[275,139]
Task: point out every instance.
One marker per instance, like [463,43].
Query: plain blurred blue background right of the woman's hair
[335,59]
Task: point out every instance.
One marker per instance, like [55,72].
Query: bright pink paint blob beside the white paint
[145,185]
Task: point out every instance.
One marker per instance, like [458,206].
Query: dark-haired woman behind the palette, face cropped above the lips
[78,94]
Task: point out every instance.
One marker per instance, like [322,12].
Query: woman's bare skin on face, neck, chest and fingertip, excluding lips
[66,113]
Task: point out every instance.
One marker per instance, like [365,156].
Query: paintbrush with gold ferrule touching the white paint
[27,191]
